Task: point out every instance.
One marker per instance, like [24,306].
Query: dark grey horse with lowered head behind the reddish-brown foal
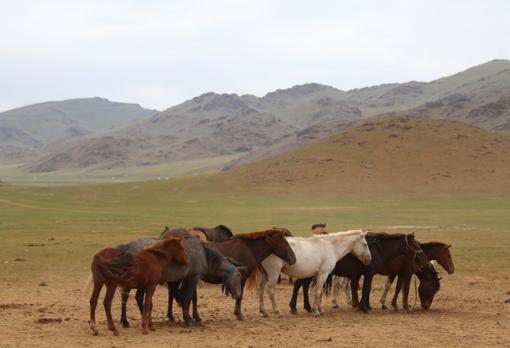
[205,261]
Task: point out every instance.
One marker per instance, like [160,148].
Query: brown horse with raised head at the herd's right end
[436,251]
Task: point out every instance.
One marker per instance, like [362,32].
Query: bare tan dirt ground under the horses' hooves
[468,311]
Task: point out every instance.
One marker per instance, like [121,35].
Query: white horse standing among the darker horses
[315,257]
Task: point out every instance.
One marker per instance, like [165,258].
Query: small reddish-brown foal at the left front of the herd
[142,270]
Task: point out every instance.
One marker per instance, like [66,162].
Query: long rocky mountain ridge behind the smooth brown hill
[225,124]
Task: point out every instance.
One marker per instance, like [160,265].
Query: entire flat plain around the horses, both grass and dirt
[54,231]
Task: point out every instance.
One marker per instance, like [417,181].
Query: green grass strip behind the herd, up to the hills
[85,218]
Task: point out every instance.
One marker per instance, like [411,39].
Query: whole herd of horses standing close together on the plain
[330,262]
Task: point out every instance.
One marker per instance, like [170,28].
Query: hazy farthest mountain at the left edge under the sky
[25,130]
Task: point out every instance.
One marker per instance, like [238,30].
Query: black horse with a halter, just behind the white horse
[383,247]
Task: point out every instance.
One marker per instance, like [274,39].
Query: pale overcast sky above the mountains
[160,53]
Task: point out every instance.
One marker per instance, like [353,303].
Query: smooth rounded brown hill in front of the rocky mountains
[398,154]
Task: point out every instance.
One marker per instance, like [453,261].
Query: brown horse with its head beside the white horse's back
[249,250]
